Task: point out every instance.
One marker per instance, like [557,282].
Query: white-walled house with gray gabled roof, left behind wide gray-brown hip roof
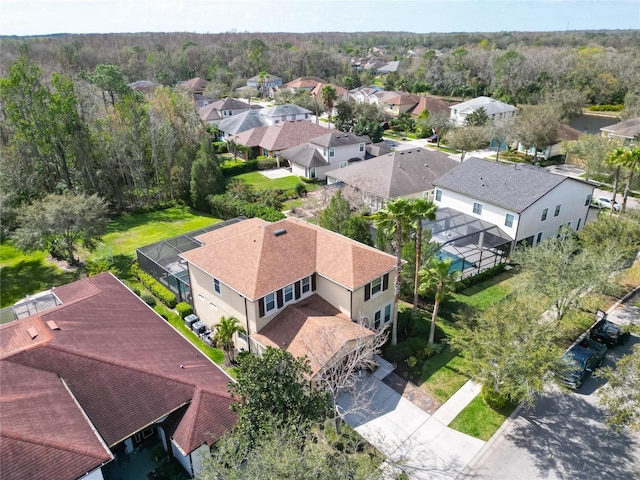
[332,150]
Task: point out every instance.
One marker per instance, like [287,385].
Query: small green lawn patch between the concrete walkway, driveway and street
[479,420]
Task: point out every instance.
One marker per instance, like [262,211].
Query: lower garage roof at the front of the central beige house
[313,328]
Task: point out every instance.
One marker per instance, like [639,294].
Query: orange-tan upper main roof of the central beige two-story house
[255,262]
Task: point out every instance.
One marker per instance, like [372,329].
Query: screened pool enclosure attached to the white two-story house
[477,244]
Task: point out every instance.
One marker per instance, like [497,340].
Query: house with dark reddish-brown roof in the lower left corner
[97,376]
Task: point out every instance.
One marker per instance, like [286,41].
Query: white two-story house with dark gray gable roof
[528,203]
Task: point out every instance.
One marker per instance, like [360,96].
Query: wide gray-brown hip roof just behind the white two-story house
[396,174]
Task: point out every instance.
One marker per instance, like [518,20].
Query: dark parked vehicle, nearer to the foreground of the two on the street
[578,362]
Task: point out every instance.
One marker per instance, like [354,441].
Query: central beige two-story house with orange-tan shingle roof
[291,284]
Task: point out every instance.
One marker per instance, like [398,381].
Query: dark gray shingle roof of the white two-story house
[514,187]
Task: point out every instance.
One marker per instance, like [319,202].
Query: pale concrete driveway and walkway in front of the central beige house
[413,441]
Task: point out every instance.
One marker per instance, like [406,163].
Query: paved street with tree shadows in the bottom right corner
[564,436]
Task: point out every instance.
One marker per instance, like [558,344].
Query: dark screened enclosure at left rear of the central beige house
[162,260]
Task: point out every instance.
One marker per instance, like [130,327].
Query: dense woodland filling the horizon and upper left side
[69,123]
